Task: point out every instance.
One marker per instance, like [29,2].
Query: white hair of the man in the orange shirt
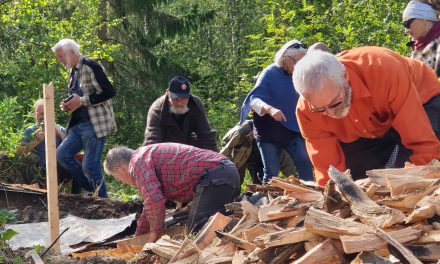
[315,69]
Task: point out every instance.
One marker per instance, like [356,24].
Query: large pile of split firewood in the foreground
[391,217]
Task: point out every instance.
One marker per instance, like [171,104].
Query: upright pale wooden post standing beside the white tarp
[51,165]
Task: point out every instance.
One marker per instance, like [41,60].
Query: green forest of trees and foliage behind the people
[219,45]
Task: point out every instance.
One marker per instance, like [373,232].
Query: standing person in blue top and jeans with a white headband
[273,101]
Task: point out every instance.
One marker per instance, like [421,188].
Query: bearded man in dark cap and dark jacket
[180,117]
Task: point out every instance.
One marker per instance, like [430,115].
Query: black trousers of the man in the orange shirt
[368,154]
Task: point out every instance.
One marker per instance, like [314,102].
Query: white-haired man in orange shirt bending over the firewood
[356,106]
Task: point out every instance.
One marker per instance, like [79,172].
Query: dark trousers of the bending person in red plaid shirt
[216,188]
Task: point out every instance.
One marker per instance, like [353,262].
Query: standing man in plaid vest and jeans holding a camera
[92,118]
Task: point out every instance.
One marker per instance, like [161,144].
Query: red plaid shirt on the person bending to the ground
[167,171]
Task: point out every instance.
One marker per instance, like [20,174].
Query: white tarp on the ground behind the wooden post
[80,230]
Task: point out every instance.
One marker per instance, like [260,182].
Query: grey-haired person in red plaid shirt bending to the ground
[175,172]
